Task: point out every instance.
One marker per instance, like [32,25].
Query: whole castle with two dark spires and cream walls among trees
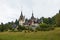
[32,21]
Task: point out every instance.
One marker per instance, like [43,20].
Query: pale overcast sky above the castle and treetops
[10,9]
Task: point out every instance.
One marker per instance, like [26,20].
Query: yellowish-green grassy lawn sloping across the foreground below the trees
[41,35]
